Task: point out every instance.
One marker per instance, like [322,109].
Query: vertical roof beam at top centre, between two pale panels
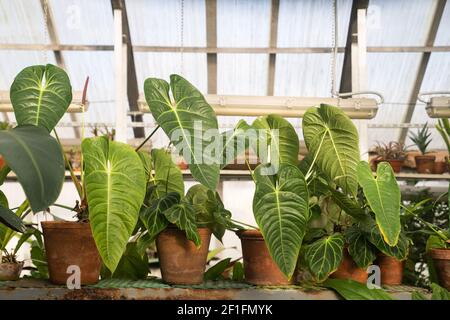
[211,42]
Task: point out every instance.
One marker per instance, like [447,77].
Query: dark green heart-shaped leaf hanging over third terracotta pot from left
[280,206]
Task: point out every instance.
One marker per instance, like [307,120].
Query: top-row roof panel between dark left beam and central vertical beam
[158,23]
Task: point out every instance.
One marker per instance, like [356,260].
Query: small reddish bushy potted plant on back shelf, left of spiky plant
[393,152]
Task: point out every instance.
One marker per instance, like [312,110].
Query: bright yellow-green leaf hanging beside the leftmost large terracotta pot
[115,187]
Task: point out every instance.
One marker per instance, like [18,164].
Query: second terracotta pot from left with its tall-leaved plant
[182,224]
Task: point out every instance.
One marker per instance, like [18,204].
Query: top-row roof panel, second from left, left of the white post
[83,21]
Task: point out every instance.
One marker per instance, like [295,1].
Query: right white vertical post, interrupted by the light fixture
[359,76]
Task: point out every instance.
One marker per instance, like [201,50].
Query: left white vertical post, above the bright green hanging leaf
[120,78]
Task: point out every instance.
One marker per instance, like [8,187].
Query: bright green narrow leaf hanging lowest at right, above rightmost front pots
[383,196]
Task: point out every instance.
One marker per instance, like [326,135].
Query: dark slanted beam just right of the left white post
[132,83]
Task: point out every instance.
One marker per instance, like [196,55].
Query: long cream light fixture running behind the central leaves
[290,107]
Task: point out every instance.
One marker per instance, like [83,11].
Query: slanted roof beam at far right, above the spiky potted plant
[434,27]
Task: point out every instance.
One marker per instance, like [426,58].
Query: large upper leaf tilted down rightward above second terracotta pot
[185,122]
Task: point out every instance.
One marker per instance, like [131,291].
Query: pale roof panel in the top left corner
[22,21]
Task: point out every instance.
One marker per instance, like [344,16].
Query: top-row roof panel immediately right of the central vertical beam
[243,23]
